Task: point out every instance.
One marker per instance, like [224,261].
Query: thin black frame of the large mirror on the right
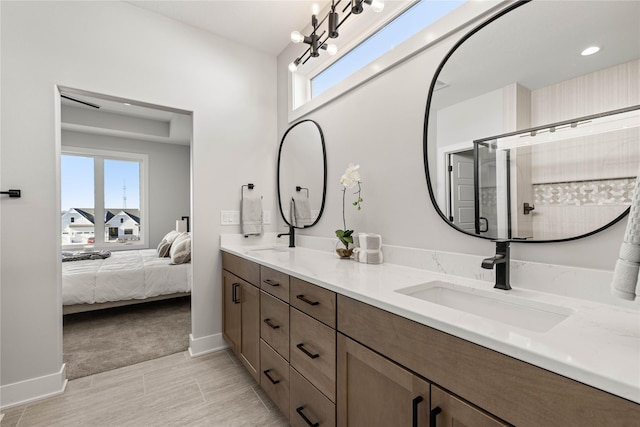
[432,194]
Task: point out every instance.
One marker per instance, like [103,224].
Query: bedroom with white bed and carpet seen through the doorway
[137,159]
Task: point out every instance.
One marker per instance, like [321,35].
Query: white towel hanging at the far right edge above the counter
[625,275]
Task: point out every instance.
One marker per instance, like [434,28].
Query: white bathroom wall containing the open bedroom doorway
[117,49]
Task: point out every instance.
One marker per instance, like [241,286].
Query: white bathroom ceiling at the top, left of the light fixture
[264,25]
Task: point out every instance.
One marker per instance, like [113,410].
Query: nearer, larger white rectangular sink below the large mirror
[502,307]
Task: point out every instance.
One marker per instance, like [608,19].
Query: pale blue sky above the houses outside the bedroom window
[77,183]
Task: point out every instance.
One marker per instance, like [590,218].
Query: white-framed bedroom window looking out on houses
[103,198]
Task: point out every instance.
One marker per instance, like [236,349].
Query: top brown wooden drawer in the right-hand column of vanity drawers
[317,302]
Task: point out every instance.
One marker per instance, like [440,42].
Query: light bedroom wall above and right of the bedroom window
[169,177]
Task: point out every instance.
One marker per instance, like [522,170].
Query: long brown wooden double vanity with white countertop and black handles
[338,342]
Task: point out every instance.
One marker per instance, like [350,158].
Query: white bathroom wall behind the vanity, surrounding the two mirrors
[380,126]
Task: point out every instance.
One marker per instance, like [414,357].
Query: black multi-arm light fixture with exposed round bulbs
[319,41]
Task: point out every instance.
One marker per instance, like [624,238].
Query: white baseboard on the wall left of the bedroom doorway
[33,389]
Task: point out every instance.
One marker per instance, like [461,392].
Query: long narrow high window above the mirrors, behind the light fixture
[373,44]
